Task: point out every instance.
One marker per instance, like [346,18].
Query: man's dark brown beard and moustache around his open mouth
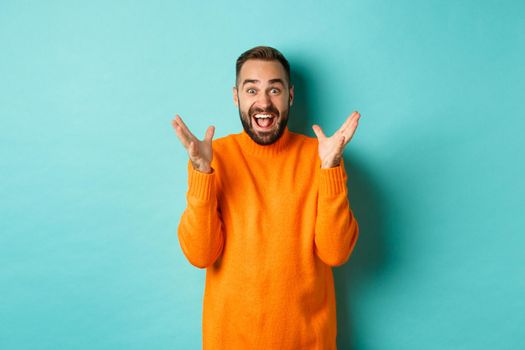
[266,138]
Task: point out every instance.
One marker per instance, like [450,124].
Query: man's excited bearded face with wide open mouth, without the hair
[264,98]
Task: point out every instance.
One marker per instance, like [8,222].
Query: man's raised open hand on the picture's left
[200,152]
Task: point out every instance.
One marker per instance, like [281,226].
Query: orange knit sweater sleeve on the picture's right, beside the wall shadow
[336,229]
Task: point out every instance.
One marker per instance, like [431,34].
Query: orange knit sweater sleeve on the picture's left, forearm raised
[200,234]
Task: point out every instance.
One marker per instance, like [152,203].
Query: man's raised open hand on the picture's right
[331,148]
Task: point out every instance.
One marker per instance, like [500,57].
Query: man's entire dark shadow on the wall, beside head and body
[369,257]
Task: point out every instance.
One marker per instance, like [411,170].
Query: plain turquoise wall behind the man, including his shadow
[93,178]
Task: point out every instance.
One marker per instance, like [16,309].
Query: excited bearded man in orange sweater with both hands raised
[268,216]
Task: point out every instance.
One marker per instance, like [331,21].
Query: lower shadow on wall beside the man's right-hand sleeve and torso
[370,256]
